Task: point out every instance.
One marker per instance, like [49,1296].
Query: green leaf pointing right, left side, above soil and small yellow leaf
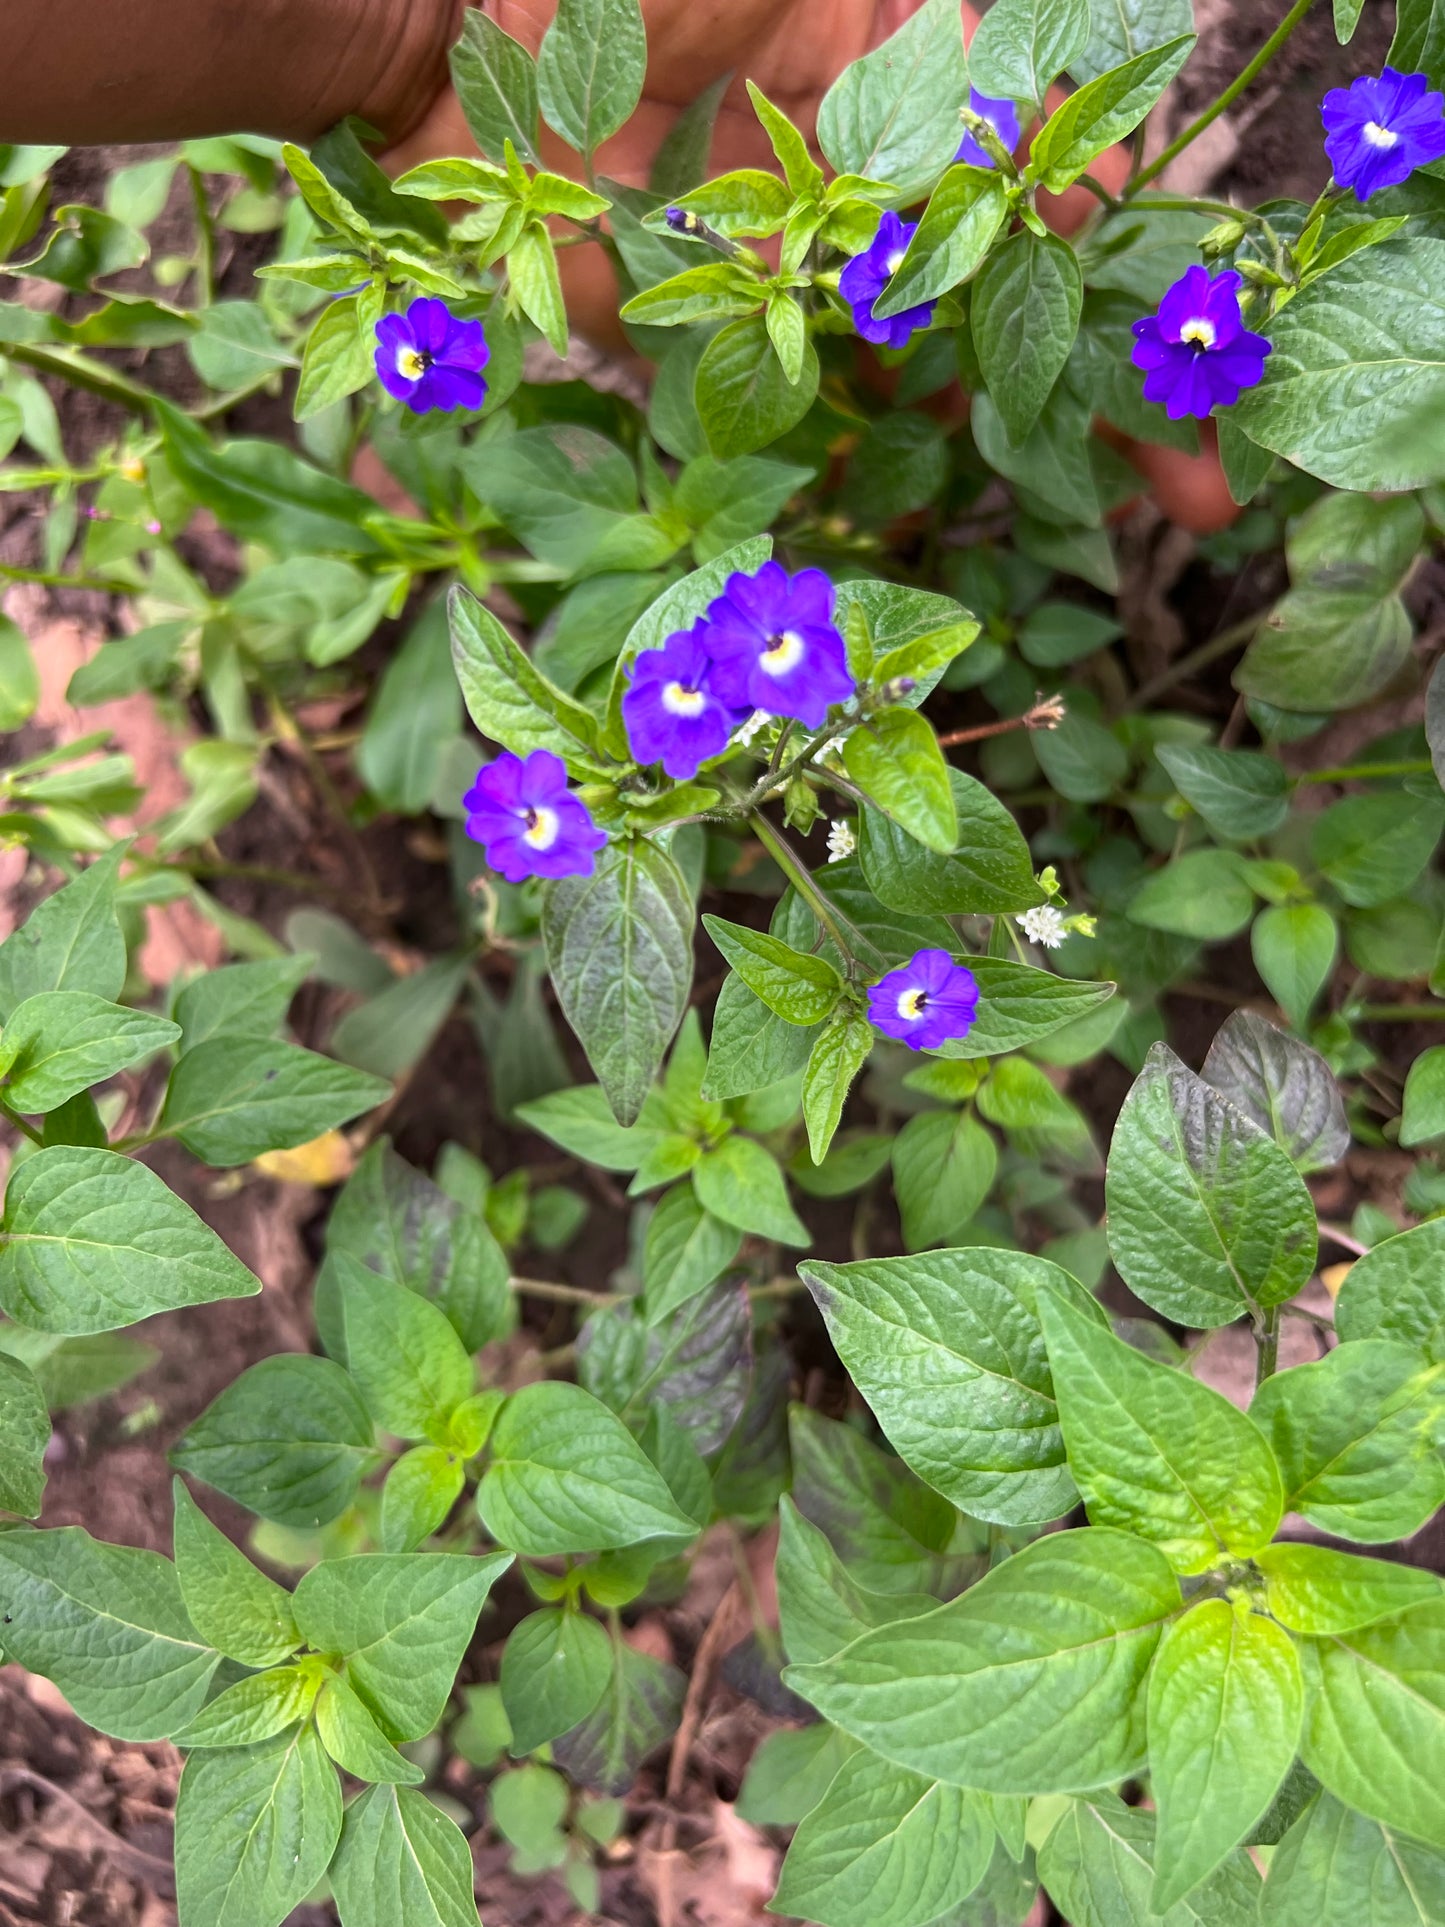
[236,1097]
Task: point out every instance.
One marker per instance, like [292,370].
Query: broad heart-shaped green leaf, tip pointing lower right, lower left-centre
[567,1477]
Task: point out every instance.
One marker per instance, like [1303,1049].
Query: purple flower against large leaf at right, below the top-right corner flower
[1197,352]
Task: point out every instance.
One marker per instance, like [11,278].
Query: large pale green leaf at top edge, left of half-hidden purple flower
[893,117]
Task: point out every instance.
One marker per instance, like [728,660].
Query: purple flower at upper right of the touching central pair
[775,647]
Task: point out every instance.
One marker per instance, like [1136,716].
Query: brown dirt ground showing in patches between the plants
[84,1820]
